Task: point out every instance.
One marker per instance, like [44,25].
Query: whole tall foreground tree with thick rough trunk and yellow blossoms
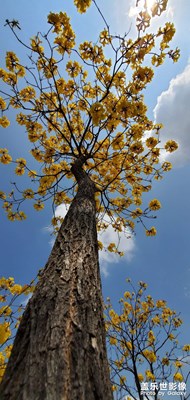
[90,140]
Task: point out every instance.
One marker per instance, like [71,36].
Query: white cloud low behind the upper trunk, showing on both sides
[126,242]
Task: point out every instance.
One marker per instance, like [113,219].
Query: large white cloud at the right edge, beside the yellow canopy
[172,110]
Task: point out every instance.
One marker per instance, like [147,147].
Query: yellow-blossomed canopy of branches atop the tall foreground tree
[85,102]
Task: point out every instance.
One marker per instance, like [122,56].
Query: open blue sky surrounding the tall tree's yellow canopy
[161,261]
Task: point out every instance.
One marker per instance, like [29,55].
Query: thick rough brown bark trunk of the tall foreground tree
[59,352]
